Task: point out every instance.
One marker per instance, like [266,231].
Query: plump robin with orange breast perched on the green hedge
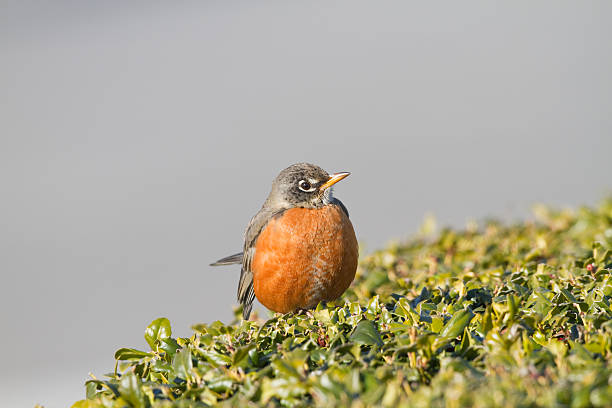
[300,248]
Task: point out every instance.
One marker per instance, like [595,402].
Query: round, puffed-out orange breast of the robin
[303,257]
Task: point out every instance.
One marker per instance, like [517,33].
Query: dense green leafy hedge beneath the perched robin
[493,316]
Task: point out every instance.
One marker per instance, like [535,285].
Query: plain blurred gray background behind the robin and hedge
[138,139]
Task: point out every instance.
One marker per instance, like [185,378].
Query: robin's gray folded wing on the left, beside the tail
[246,294]
